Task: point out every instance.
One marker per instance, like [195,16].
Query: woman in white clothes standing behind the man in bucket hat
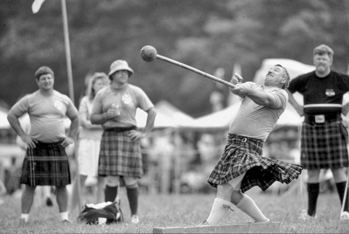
[89,141]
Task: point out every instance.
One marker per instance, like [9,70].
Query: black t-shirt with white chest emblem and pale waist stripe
[326,90]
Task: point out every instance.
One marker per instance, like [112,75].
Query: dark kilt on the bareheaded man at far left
[46,164]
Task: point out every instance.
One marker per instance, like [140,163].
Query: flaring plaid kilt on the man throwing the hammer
[244,155]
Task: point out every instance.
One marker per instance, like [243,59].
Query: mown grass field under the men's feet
[179,210]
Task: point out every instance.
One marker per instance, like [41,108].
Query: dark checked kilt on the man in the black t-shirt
[324,145]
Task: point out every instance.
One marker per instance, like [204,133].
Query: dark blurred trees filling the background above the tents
[204,34]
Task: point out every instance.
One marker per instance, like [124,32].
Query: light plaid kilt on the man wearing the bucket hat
[119,155]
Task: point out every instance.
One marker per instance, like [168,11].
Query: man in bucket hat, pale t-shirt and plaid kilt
[120,154]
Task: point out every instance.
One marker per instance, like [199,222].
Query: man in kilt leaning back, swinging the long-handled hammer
[242,165]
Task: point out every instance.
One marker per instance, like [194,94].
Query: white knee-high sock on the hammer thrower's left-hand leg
[219,209]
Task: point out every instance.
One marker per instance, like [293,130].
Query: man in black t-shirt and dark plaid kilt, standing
[324,138]
